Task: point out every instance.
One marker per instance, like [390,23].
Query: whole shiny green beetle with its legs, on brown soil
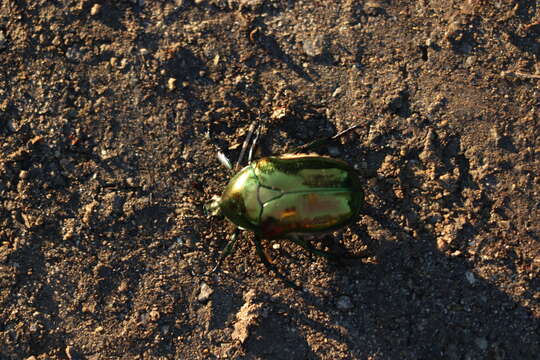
[281,197]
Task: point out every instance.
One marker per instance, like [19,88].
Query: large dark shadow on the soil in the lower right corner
[416,295]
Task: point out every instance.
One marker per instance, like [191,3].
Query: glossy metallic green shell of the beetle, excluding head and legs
[275,196]
